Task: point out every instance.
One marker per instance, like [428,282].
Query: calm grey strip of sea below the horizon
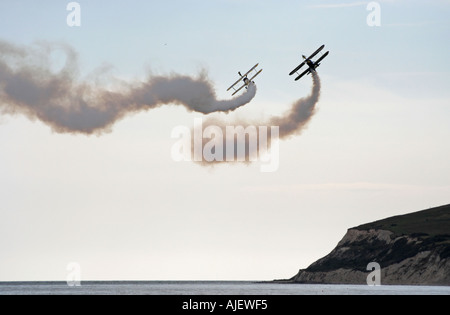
[209,288]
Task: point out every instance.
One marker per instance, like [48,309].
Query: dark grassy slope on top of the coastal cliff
[431,222]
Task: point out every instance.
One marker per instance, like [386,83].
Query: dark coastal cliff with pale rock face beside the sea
[412,249]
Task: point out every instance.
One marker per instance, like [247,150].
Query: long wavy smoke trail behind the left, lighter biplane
[29,86]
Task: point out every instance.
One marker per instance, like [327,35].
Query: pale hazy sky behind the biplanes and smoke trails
[121,207]
